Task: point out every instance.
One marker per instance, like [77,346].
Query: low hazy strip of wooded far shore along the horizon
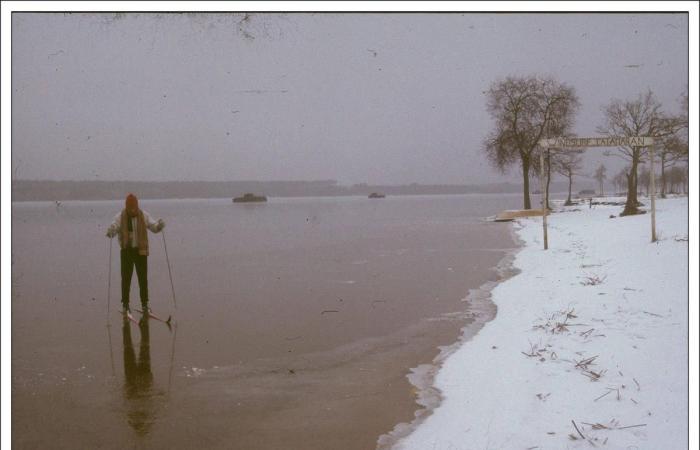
[48,190]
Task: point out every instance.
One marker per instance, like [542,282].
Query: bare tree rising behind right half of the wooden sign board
[640,117]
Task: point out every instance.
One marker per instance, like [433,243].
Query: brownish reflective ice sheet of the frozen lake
[300,341]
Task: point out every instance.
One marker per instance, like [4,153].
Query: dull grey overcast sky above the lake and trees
[377,98]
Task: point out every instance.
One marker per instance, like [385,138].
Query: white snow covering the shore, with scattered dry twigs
[593,331]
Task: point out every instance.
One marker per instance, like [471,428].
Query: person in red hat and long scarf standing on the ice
[131,225]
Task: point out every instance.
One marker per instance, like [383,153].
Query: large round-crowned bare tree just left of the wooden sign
[525,110]
